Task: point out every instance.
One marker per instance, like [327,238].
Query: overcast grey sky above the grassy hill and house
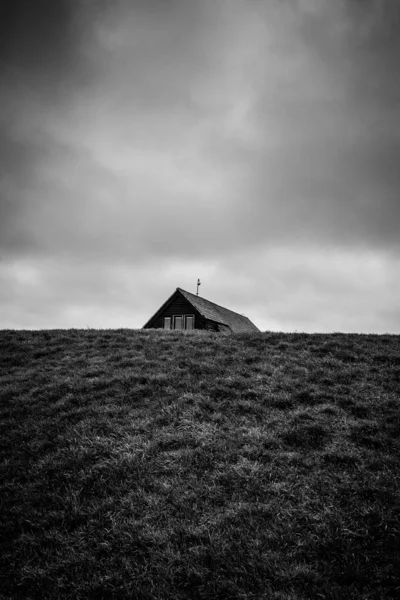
[253,144]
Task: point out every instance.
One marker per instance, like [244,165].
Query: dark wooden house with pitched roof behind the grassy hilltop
[184,310]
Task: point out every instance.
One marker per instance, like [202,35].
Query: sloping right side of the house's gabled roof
[209,310]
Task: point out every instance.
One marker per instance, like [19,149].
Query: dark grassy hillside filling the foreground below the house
[151,464]
